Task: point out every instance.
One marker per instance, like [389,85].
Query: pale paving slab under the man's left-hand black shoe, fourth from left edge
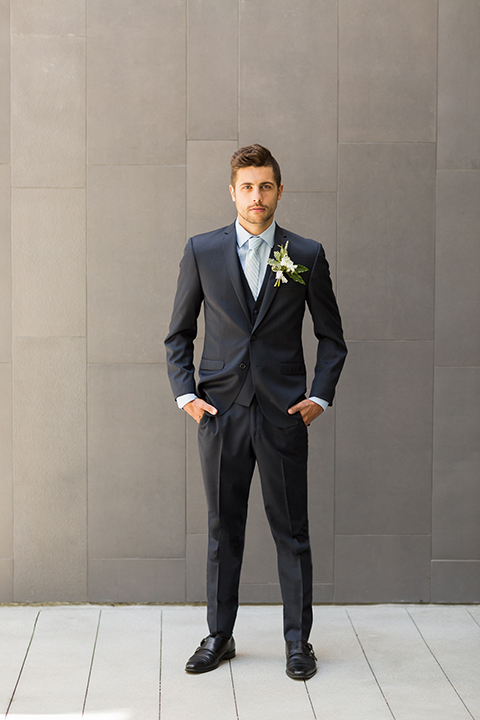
[208,696]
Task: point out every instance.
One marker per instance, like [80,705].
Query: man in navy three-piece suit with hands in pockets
[254,280]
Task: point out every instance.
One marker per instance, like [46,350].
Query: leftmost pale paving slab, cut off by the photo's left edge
[17,626]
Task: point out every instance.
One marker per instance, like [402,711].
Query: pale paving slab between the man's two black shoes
[262,689]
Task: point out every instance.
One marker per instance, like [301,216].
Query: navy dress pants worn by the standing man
[230,445]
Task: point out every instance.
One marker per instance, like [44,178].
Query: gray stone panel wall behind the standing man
[117,121]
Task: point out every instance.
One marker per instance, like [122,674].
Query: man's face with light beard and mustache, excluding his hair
[255,196]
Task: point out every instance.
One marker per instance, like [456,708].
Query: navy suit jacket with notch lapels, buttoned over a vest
[271,347]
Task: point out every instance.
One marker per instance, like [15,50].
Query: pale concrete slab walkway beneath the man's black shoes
[407,662]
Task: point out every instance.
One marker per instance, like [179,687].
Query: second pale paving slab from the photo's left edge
[54,678]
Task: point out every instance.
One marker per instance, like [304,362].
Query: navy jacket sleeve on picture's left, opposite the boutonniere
[183,326]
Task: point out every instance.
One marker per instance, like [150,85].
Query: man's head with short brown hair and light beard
[256,187]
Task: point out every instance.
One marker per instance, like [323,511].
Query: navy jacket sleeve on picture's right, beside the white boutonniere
[327,325]
